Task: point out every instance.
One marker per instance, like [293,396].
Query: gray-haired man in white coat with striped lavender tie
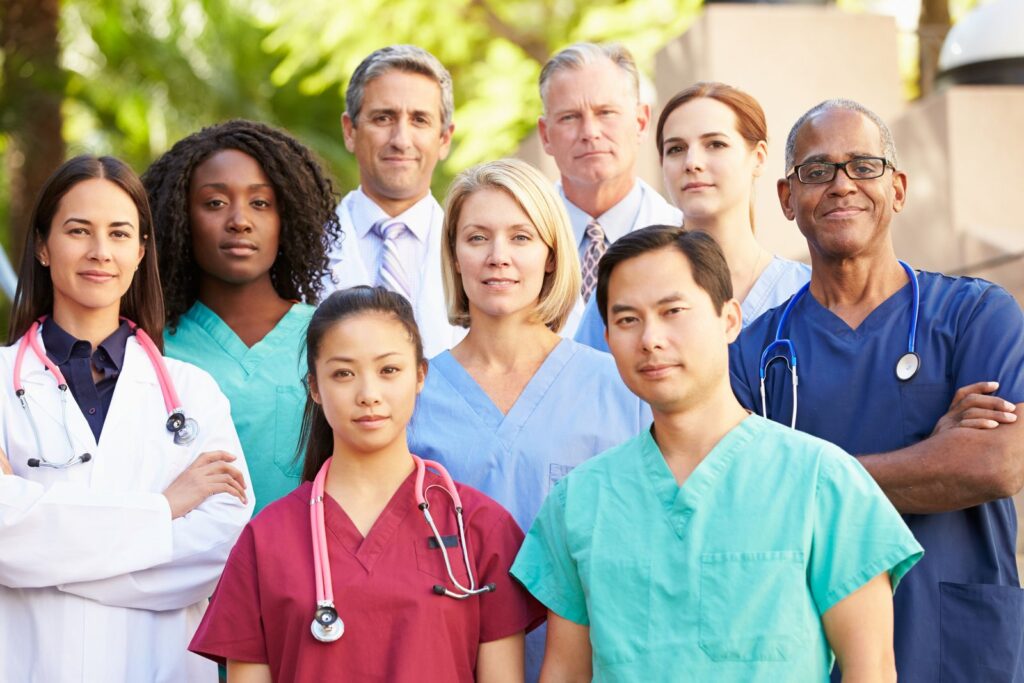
[398,122]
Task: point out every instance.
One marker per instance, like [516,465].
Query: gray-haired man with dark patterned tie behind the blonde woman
[593,124]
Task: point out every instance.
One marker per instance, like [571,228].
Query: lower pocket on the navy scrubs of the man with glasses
[982,633]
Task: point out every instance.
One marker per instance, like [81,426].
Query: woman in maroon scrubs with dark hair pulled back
[366,368]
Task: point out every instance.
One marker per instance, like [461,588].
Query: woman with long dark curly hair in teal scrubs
[246,215]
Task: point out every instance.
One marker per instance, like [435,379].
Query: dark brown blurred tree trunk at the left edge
[33,88]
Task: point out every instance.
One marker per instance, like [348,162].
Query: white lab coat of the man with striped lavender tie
[349,270]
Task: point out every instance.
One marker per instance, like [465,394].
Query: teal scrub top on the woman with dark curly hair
[264,385]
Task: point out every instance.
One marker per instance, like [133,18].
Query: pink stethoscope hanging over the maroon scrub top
[327,626]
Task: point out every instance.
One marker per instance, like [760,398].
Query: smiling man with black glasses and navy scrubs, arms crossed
[882,350]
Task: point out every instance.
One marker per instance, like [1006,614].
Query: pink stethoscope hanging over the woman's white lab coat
[185,430]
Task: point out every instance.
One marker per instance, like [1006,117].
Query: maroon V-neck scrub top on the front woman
[397,629]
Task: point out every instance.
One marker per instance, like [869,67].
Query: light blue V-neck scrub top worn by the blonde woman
[575,407]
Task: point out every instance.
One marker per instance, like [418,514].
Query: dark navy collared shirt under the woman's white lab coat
[73,357]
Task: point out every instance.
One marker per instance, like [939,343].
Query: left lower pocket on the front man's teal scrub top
[619,607]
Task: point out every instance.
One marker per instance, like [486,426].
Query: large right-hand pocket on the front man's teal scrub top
[752,606]
